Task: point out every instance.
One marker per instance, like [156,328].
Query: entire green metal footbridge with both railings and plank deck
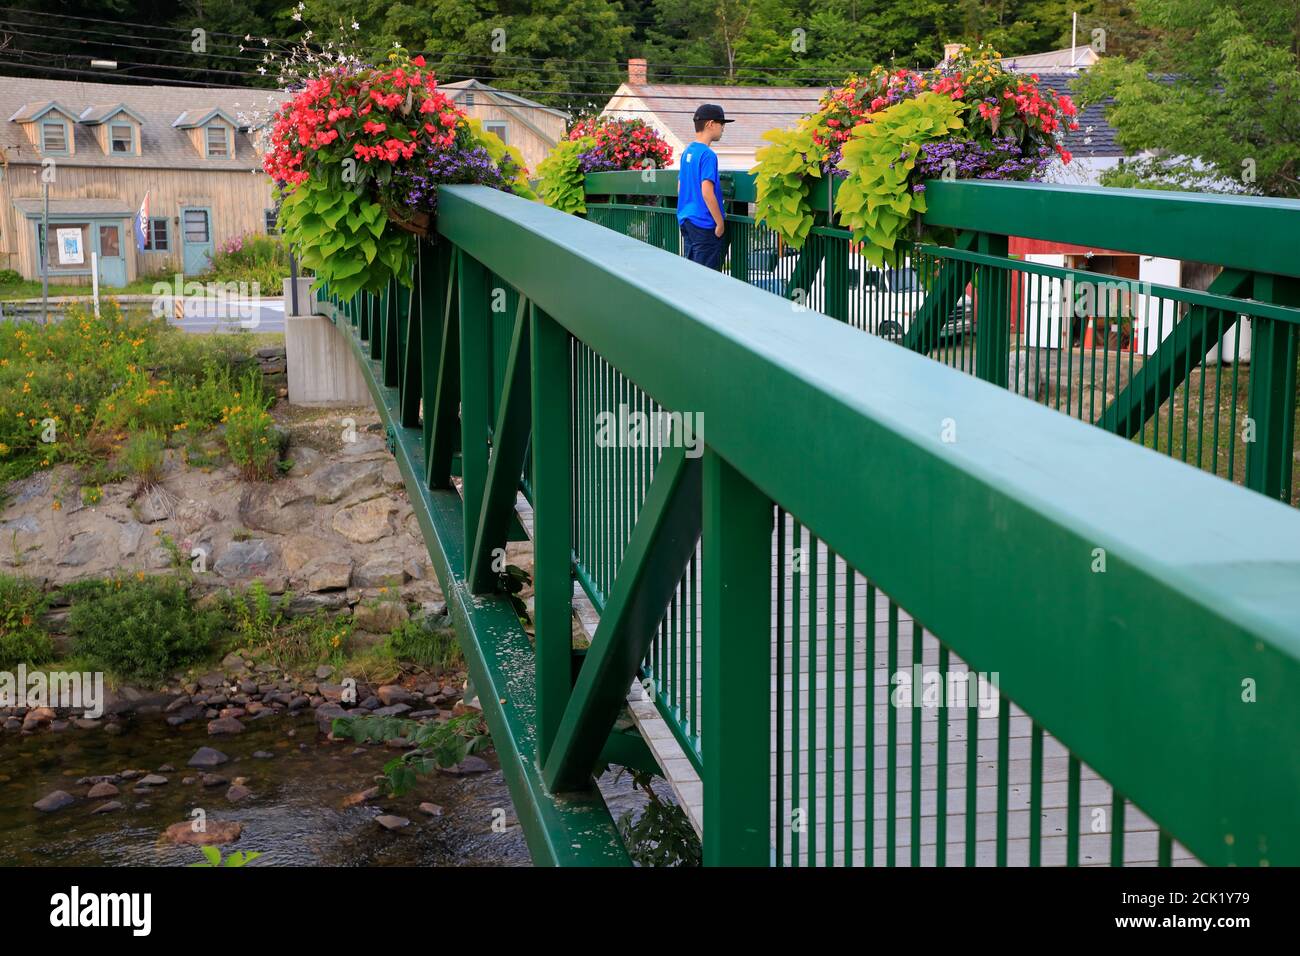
[970,561]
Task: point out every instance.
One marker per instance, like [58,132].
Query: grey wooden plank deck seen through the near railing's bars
[1095,795]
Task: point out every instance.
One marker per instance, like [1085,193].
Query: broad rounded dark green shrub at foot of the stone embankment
[141,629]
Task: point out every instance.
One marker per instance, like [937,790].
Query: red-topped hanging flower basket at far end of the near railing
[359,154]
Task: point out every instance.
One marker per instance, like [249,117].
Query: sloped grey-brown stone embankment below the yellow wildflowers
[337,533]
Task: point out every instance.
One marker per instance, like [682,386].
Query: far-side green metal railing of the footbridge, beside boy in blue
[1208,378]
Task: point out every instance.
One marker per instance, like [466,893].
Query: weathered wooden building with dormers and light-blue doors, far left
[102,148]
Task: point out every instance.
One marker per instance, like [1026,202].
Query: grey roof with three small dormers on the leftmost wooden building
[157,107]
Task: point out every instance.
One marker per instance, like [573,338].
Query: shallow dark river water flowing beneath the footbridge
[296,815]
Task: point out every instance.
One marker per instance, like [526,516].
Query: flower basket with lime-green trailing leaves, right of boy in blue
[882,135]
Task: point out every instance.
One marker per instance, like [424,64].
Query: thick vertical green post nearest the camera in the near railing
[738,620]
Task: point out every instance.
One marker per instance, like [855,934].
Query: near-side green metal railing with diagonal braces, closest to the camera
[855,511]
